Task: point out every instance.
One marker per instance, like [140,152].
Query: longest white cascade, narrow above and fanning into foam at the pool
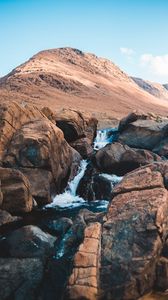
[69,198]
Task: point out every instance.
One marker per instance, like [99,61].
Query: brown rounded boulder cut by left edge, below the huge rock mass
[15,187]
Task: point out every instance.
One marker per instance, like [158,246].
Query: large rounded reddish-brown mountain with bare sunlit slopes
[70,78]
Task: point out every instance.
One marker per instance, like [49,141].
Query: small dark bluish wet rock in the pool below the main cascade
[60,226]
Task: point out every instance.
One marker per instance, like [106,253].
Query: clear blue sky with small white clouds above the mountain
[132,33]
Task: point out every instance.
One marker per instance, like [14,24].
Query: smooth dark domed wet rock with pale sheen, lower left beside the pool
[29,241]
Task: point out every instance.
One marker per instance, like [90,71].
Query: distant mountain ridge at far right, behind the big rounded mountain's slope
[156,89]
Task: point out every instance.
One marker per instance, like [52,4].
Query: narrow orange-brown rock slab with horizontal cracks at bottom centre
[83,282]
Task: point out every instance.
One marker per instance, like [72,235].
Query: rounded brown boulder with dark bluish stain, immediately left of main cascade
[41,145]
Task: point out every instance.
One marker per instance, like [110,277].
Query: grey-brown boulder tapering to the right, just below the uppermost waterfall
[119,159]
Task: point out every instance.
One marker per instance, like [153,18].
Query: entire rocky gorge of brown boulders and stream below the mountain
[83,212]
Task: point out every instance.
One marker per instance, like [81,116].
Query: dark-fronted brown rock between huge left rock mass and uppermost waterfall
[79,130]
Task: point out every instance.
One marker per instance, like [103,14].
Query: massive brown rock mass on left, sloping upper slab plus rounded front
[32,143]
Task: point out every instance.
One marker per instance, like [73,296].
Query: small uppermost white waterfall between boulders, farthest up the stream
[102,138]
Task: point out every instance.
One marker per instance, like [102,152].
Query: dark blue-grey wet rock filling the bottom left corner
[20,278]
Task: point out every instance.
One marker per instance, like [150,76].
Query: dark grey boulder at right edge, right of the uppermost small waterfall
[144,133]
